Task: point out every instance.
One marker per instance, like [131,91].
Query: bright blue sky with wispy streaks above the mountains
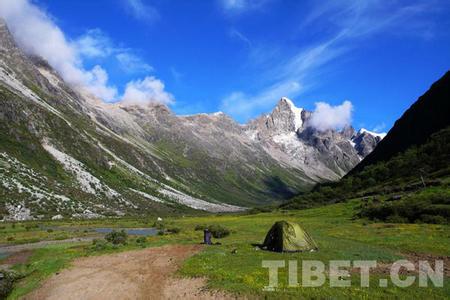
[242,56]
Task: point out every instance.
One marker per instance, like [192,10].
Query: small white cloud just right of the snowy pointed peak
[327,117]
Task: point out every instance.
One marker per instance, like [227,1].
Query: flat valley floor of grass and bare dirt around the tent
[235,266]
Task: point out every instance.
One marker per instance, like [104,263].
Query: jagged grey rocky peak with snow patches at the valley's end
[321,155]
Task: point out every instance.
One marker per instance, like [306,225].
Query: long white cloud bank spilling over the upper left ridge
[36,33]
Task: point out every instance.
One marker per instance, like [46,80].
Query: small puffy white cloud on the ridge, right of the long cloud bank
[143,92]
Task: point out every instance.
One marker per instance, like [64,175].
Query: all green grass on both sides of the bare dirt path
[337,235]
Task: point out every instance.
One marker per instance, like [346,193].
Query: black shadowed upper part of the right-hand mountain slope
[429,114]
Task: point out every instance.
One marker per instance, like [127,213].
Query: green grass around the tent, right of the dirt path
[338,238]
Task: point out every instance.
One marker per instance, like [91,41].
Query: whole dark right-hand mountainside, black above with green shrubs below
[410,181]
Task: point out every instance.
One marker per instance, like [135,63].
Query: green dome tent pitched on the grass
[287,236]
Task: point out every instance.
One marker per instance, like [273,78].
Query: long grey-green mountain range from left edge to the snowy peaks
[65,153]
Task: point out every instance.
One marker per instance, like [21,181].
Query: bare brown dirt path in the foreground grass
[141,274]
